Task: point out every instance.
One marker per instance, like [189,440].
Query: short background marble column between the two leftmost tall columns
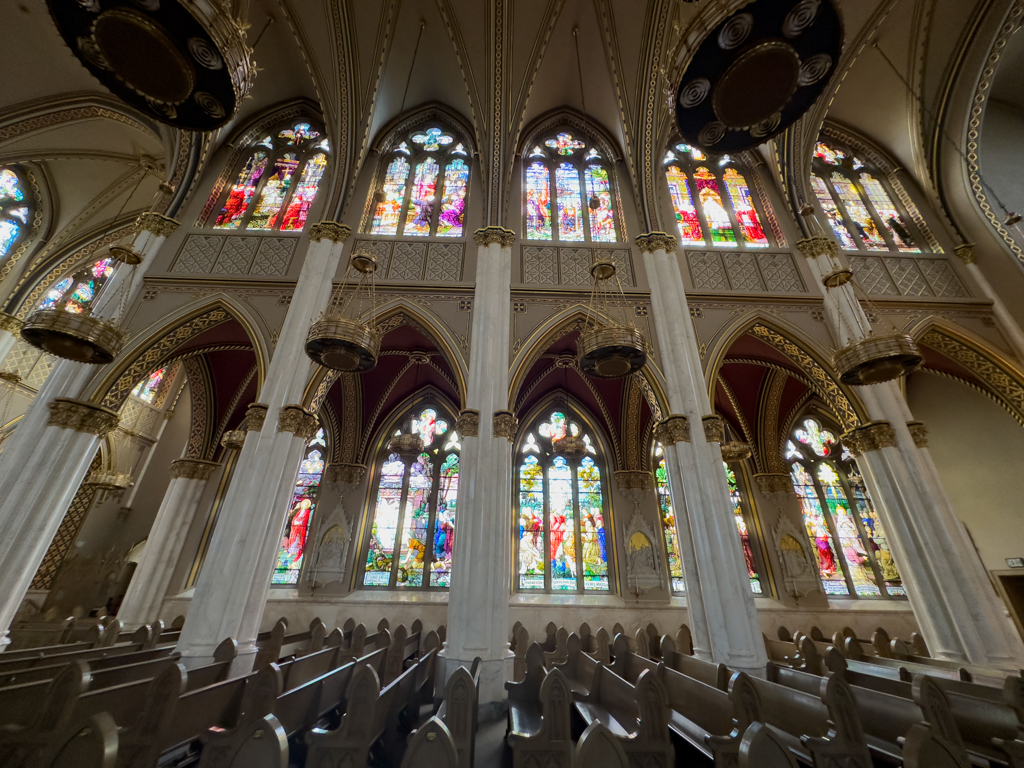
[153,577]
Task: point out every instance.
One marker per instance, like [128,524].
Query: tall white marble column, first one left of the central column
[232,591]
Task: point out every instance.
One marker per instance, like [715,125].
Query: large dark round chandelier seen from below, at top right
[757,73]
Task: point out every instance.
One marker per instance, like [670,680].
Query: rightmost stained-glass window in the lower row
[845,532]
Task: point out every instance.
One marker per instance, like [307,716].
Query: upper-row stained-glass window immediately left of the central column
[424,187]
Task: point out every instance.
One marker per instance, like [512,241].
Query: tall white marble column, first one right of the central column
[719,601]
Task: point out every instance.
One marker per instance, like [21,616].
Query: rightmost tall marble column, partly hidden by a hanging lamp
[960,615]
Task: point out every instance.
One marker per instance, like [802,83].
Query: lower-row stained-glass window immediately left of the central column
[412,533]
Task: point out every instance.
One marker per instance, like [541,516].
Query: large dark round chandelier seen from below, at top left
[184,63]
